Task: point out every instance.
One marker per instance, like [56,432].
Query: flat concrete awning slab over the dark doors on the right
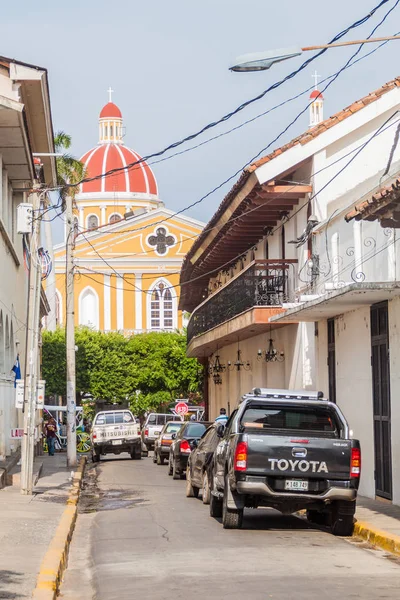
[342,300]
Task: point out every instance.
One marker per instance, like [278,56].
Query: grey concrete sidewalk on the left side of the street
[27,526]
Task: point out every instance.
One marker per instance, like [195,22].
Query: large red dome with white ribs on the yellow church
[139,179]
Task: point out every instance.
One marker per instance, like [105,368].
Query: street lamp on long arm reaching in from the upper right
[262,61]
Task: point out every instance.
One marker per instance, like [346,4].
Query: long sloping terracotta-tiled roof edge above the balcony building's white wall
[311,134]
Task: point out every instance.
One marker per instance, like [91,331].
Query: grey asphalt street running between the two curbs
[138,536]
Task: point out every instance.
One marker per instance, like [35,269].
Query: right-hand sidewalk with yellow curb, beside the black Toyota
[379,523]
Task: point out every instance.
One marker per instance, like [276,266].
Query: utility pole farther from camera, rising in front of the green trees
[70,338]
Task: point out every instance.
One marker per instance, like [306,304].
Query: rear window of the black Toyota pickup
[291,418]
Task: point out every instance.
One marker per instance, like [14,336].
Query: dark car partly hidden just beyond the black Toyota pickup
[199,469]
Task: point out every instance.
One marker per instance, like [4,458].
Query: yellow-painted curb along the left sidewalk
[56,558]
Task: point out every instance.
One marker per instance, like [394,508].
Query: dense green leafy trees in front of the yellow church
[148,370]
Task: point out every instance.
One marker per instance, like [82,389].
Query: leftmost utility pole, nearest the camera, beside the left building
[32,348]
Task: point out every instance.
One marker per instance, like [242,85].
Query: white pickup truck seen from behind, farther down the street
[115,431]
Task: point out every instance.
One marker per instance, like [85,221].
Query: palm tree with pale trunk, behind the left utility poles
[70,170]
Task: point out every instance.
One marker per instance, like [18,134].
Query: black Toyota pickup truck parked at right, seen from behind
[287,450]
